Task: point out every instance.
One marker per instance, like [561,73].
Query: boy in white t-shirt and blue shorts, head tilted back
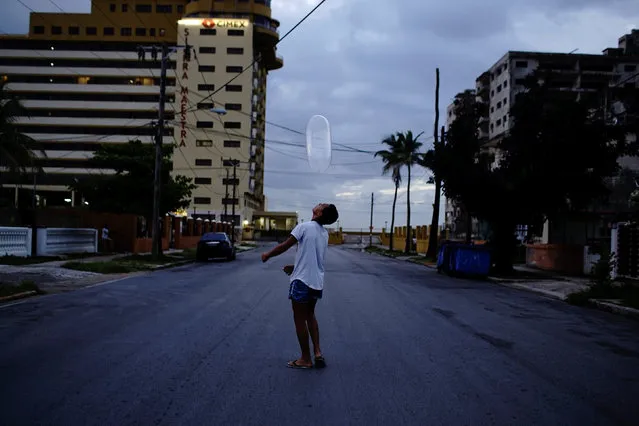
[307,279]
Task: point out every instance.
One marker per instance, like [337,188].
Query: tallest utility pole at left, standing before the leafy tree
[157,238]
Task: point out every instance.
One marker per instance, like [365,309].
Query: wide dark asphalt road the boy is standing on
[208,345]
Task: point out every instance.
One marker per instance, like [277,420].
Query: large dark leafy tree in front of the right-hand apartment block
[555,160]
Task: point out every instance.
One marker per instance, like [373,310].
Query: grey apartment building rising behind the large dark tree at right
[574,75]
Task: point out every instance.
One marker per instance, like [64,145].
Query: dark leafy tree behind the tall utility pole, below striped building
[130,189]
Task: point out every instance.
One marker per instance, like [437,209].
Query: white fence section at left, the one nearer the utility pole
[54,241]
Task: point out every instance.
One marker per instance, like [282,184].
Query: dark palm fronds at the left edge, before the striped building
[17,150]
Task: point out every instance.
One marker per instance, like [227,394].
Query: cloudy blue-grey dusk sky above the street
[369,67]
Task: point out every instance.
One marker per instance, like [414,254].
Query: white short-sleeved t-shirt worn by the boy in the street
[309,261]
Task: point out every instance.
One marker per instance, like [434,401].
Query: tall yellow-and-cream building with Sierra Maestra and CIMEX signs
[83,84]
